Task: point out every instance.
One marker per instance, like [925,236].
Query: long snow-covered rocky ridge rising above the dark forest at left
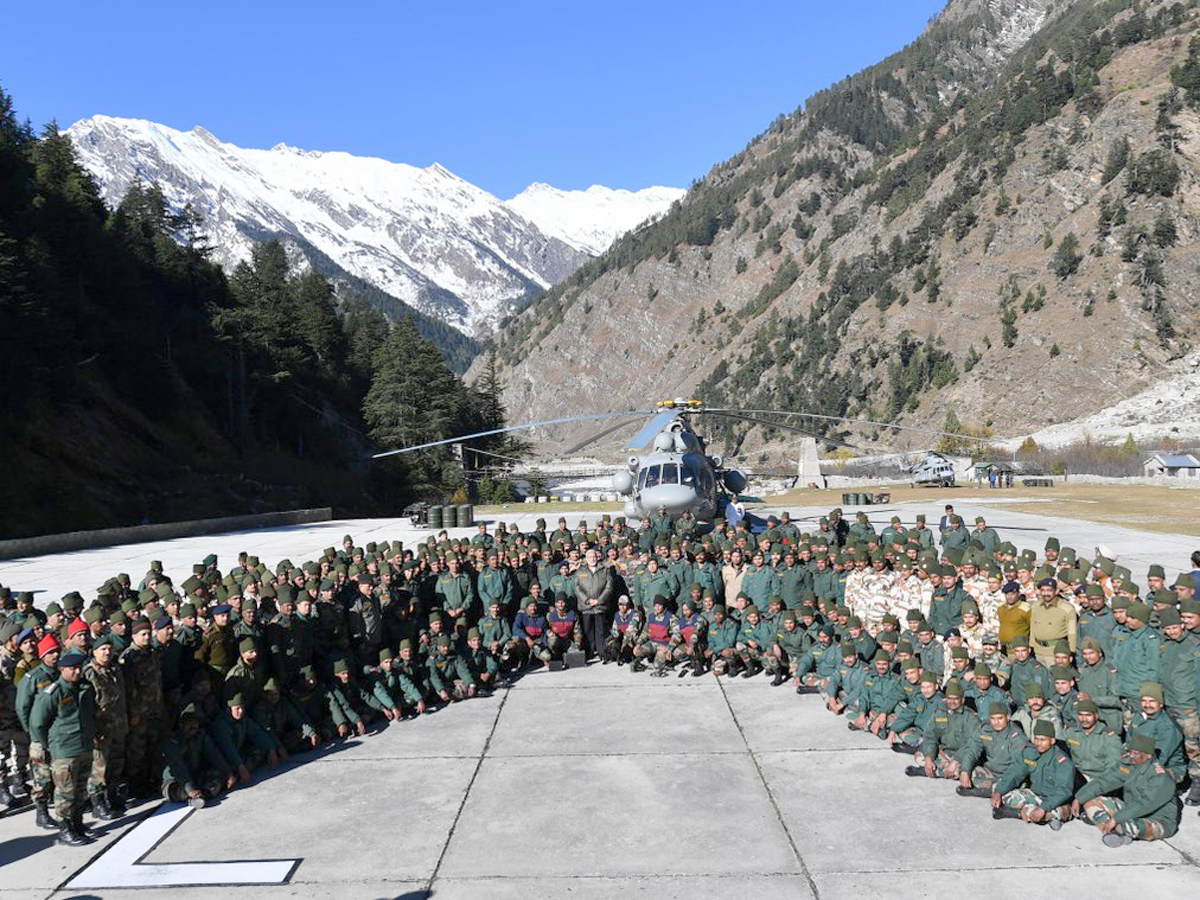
[427,237]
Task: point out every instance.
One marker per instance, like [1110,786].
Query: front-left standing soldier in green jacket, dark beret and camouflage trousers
[64,722]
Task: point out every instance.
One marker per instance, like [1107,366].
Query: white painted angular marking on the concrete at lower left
[121,867]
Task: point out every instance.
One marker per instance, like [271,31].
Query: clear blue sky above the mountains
[503,94]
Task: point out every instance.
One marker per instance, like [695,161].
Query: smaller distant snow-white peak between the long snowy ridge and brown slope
[591,220]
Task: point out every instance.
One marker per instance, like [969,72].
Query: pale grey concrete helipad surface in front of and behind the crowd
[590,783]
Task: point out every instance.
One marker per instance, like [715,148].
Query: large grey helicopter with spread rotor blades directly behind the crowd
[679,475]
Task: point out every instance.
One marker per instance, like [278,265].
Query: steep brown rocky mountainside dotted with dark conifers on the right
[1001,220]
